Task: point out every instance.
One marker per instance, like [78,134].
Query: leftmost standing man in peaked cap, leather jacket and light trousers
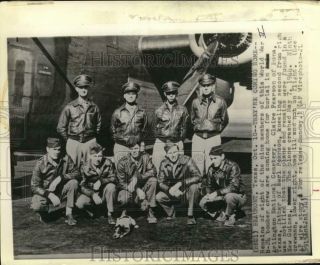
[80,121]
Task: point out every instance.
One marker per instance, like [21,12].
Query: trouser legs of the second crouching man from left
[108,196]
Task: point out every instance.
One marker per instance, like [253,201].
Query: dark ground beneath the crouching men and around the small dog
[32,237]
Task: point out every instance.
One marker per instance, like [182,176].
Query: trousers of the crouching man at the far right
[233,201]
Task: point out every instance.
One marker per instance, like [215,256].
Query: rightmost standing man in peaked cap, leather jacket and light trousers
[209,117]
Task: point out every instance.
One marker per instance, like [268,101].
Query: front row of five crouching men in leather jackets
[135,184]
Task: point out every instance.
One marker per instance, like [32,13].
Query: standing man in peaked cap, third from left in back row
[170,123]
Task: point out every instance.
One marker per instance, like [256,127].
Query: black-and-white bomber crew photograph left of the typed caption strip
[130,143]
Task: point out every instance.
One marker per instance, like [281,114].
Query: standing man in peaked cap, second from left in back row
[128,122]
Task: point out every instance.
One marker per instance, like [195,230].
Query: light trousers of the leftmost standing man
[79,151]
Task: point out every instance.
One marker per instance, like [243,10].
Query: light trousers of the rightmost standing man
[201,148]
